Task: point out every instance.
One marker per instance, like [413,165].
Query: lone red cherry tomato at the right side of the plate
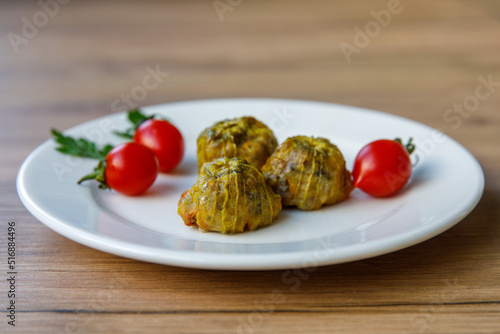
[382,168]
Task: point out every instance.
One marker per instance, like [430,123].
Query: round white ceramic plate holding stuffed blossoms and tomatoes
[446,185]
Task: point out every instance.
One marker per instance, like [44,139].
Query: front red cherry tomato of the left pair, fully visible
[131,168]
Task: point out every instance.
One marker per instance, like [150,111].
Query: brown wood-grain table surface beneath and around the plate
[68,67]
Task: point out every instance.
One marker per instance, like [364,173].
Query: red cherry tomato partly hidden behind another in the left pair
[164,139]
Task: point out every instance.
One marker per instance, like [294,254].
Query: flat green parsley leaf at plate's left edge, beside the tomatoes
[79,147]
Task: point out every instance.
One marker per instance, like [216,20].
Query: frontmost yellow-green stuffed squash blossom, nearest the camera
[230,196]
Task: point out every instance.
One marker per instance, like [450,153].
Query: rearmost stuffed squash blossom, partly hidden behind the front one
[244,137]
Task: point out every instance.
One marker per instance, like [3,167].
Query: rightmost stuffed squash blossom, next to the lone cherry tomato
[308,173]
